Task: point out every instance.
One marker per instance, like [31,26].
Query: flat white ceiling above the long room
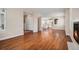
[44,11]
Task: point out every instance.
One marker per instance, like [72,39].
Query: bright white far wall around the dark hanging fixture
[60,21]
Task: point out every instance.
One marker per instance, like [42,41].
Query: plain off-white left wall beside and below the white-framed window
[14,24]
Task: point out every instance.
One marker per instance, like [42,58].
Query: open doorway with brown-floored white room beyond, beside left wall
[28,24]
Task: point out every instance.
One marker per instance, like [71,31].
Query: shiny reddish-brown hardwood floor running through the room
[46,40]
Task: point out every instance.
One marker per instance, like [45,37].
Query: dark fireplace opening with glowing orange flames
[76,31]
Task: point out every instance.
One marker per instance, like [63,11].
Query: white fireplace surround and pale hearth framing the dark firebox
[74,45]
